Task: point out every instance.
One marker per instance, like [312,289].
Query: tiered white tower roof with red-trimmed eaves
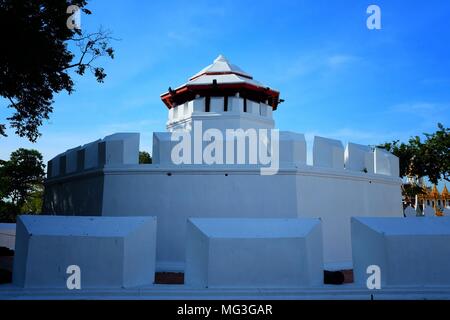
[218,79]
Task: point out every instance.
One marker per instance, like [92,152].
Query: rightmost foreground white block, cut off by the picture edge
[409,252]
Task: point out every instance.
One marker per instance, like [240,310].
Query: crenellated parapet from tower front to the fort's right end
[327,154]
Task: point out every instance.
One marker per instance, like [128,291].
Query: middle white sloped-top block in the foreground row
[254,253]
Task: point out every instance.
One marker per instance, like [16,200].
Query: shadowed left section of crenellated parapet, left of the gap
[115,149]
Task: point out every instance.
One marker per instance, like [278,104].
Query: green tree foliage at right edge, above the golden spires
[424,158]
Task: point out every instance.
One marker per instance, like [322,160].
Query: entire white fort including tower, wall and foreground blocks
[231,202]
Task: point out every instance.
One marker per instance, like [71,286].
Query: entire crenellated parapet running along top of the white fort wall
[290,150]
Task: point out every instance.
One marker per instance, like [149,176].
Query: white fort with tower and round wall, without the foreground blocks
[104,178]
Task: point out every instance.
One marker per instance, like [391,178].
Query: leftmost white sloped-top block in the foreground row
[112,252]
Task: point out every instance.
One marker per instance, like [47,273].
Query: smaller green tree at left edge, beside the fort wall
[21,183]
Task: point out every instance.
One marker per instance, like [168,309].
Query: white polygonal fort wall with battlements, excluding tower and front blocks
[118,186]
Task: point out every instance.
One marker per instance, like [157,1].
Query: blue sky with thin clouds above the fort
[338,78]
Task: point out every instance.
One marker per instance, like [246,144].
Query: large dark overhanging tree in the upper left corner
[36,58]
